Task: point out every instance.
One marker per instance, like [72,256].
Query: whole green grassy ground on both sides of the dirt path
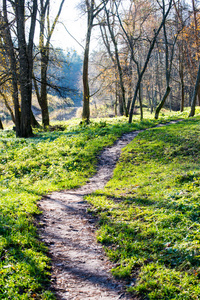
[148,213]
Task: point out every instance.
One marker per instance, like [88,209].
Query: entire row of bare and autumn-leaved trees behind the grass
[148,53]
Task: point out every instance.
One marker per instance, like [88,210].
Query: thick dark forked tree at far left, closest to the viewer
[20,11]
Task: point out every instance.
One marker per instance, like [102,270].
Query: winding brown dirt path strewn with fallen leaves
[80,269]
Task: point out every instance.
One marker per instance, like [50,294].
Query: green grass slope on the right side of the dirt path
[149,213]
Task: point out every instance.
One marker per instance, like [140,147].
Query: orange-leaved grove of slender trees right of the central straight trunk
[162,66]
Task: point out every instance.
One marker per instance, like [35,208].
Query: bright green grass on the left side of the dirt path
[30,168]
